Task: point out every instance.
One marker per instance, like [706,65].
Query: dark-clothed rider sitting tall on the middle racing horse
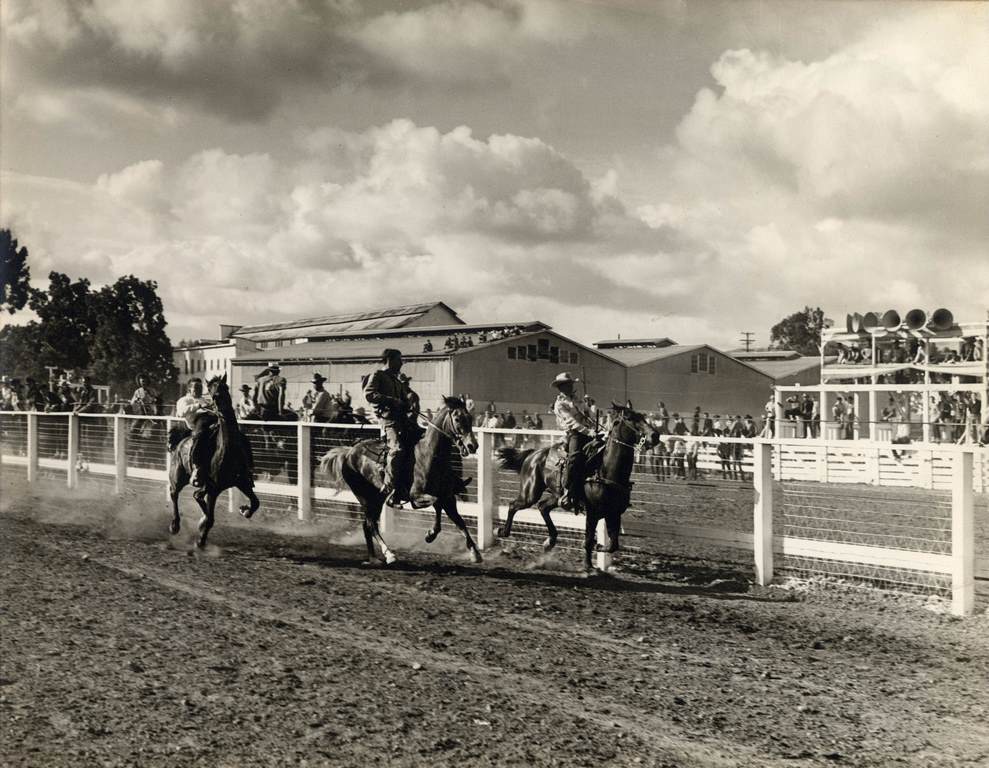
[396,407]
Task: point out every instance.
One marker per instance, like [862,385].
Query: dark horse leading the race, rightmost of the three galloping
[607,493]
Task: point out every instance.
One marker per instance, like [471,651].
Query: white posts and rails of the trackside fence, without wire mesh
[123,447]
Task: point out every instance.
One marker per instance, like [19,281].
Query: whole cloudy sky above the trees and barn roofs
[610,167]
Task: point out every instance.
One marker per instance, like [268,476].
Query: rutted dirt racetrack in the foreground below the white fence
[119,646]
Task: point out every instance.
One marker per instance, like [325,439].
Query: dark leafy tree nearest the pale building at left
[129,336]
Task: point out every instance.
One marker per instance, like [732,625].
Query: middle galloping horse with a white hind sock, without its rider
[360,466]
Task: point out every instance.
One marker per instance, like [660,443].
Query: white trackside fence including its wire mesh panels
[874,507]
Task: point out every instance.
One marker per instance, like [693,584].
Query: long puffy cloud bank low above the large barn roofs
[396,213]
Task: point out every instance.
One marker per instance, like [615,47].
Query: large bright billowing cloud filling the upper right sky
[856,180]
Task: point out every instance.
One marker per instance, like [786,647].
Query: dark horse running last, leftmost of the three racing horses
[230,466]
